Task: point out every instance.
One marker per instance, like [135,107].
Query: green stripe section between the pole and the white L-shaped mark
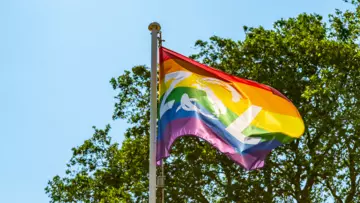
[203,100]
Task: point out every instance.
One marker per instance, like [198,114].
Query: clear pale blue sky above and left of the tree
[57,57]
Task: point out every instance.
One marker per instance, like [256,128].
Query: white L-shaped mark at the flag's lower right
[242,122]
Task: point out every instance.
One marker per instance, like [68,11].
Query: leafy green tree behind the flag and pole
[316,65]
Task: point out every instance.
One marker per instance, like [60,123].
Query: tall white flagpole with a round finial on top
[154,28]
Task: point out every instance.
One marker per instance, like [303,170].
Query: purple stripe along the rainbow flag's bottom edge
[195,127]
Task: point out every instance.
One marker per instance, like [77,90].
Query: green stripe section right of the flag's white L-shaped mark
[252,131]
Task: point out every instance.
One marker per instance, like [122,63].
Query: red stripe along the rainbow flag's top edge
[166,54]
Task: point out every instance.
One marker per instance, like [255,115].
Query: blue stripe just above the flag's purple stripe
[216,126]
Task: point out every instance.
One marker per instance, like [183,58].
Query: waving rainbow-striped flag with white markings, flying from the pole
[241,118]
